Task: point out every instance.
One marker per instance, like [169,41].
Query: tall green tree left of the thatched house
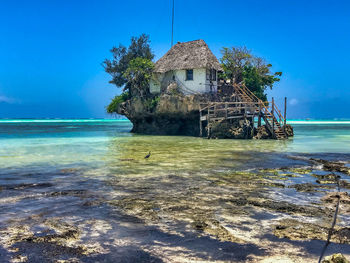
[130,66]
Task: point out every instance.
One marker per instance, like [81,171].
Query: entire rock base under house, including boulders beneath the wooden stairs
[173,113]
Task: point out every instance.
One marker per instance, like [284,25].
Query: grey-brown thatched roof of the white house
[187,55]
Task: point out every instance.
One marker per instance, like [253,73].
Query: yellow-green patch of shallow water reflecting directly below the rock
[186,154]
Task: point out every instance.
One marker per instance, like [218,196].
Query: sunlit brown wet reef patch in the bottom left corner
[54,239]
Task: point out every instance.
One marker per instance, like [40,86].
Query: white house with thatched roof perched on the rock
[191,65]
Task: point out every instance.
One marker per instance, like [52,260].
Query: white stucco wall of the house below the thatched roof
[199,84]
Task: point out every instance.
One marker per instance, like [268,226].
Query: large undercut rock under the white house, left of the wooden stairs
[173,114]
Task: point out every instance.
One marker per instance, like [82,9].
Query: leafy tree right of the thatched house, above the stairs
[241,66]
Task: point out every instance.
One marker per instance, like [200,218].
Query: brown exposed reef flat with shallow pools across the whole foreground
[212,217]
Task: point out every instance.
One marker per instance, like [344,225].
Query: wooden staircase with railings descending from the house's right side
[273,123]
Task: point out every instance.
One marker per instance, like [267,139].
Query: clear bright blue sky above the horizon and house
[51,51]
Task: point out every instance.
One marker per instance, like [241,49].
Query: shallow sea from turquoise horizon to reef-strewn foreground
[91,176]
